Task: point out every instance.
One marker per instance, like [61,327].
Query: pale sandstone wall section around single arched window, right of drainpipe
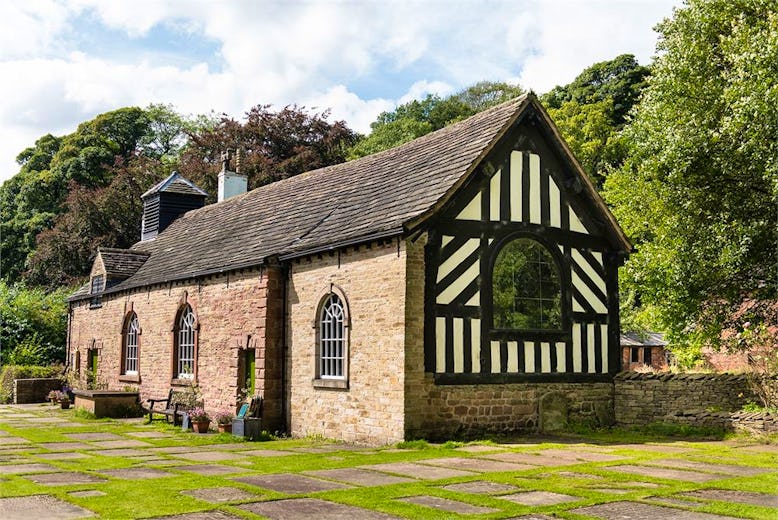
[370,410]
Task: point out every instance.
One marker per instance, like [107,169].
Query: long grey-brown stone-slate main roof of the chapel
[375,196]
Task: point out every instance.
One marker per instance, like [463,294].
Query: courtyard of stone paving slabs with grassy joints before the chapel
[601,481]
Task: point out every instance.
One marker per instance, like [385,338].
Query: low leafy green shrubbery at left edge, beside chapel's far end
[32,324]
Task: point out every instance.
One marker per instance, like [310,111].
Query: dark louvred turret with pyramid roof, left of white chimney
[167,201]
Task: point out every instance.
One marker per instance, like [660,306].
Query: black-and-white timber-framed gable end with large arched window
[522,262]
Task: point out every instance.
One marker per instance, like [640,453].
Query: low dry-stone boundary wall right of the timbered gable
[646,398]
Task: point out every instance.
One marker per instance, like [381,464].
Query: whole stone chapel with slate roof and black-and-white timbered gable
[461,283]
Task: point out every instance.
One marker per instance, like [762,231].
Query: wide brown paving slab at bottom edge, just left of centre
[295,509]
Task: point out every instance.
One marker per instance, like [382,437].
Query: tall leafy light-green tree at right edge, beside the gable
[698,193]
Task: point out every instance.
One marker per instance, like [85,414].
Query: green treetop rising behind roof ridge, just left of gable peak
[419,117]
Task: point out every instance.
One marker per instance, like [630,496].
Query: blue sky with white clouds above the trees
[65,61]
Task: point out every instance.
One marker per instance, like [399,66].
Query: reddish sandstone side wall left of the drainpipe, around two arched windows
[232,314]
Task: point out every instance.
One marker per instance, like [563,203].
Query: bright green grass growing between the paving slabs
[590,482]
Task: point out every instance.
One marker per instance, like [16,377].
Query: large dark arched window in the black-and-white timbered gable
[526,288]
